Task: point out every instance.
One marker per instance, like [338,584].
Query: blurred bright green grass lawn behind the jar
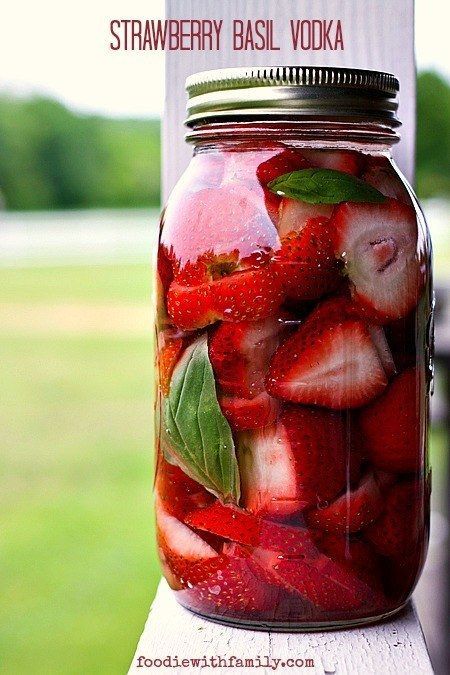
[78,559]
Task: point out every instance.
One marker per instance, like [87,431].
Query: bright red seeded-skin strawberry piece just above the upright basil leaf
[240,296]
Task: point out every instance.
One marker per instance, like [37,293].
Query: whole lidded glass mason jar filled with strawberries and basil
[293,333]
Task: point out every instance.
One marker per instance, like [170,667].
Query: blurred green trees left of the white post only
[52,158]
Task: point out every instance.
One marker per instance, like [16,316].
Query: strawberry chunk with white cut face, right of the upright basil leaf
[294,464]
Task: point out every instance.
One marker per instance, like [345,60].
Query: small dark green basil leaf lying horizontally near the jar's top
[324,186]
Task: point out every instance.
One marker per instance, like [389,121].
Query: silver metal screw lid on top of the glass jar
[292,92]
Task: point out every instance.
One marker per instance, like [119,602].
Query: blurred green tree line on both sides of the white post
[53,158]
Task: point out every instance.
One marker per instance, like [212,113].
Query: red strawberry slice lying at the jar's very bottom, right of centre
[325,583]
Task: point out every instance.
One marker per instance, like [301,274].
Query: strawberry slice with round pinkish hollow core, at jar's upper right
[378,245]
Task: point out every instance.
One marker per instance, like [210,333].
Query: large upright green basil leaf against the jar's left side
[198,434]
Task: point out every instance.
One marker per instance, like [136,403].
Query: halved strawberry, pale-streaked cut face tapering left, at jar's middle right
[330,361]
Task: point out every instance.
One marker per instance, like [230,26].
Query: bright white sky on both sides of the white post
[61,49]
